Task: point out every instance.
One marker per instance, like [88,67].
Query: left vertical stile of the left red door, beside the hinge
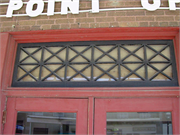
[10,125]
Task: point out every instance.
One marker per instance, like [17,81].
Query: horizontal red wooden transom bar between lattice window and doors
[86,92]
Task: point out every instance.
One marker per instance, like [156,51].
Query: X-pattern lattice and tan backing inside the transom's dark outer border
[93,56]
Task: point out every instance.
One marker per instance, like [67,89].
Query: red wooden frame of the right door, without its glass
[102,106]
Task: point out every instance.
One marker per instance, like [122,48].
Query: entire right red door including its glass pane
[136,116]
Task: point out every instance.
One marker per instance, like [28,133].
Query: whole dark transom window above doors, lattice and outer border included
[95,64]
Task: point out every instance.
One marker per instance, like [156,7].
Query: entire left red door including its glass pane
[46,116]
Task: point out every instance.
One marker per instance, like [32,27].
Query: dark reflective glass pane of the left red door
[45,123]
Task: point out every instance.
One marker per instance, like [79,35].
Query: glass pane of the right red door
[139,123]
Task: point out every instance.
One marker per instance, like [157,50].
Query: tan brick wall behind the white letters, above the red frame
[132,18]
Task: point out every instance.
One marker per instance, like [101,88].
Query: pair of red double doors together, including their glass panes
[122,116]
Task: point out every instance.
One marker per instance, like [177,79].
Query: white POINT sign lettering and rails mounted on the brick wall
[73,6]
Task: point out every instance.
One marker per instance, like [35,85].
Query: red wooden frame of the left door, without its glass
[78,106]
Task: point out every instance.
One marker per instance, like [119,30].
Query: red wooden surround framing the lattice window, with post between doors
[8,52]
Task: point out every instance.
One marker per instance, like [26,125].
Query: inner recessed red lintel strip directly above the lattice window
[92,37]
